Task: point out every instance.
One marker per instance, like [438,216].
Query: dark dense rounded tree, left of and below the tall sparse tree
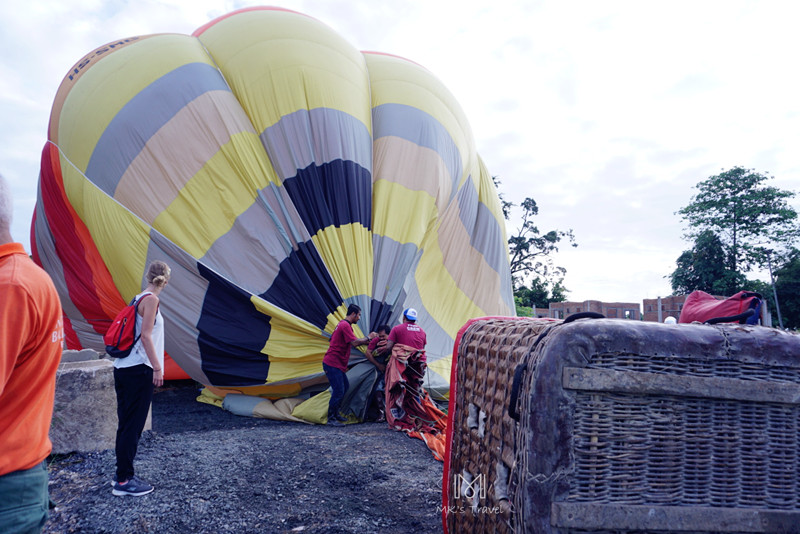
[704,268]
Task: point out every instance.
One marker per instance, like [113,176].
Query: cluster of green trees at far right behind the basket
[737,225]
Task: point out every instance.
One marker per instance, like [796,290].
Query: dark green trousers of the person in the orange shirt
[24,500]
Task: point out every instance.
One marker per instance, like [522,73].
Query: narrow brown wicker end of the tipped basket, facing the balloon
[482,451]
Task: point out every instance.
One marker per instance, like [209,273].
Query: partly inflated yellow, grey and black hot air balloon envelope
[283,174]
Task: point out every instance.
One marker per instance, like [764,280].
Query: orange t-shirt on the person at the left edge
[31,335]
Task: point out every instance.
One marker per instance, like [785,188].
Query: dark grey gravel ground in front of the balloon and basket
[216,472]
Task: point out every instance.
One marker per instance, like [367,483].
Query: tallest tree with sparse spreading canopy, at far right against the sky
[748,216]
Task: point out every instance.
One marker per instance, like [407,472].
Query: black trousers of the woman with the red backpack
[134,387]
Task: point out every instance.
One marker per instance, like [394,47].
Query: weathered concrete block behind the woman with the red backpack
[85,408]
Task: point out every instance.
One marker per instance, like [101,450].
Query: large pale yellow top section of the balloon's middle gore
[301,64]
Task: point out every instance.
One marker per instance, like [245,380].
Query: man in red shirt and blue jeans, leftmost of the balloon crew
[336,359]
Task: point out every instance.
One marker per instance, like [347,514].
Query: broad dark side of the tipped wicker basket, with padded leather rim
[630,427]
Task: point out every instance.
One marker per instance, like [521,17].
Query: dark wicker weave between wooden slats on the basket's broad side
[684,451]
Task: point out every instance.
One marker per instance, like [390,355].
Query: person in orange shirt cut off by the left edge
[31,338]
